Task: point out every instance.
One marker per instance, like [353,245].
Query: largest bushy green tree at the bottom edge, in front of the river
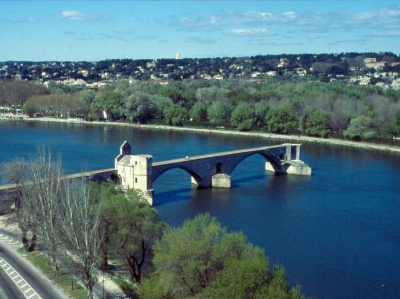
[202,260]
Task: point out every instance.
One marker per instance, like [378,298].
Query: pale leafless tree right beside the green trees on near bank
[81,235]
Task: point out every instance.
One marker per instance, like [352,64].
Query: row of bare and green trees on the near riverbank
[82,226]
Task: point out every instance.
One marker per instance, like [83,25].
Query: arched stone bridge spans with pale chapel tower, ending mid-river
[213,170]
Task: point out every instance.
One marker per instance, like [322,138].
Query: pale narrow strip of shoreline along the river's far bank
[361,145]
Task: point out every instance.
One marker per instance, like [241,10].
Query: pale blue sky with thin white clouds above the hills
[99,30]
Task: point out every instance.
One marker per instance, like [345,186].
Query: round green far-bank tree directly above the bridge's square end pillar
[280,120]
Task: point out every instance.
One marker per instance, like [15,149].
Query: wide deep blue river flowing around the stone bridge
[337,233]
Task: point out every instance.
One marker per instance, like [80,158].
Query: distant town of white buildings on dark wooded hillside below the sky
[379,69]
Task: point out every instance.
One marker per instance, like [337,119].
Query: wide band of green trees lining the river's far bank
[309,108]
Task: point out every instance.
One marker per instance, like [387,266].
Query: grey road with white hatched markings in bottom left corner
[23,279]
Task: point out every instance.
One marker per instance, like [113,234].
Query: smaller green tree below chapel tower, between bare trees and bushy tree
[132,229]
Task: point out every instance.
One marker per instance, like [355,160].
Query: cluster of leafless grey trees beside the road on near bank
[62,213]
